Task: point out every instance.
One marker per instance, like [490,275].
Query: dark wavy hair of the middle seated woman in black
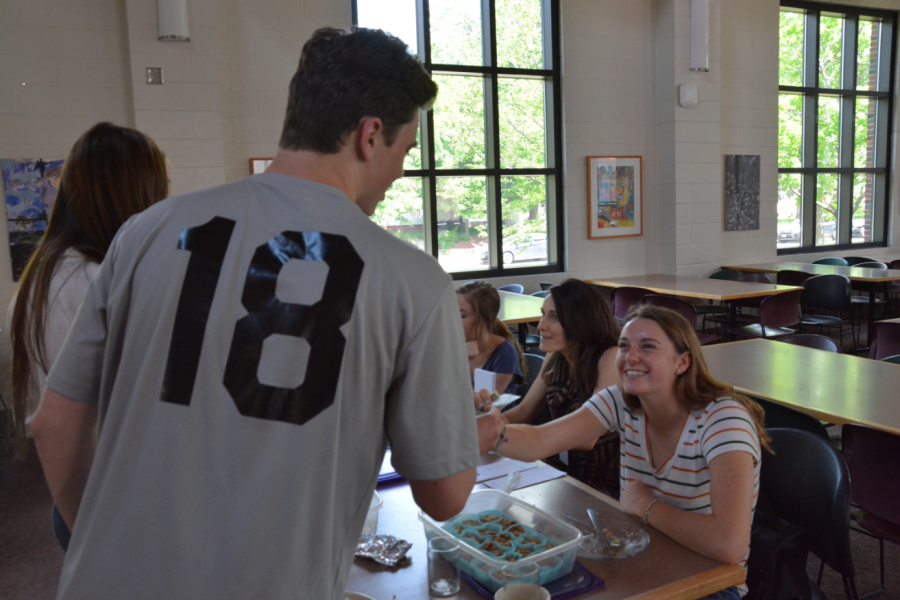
[590,331]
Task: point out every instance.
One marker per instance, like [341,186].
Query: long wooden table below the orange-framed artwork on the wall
[722,290]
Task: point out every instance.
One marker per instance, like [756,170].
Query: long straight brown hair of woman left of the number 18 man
[111,173]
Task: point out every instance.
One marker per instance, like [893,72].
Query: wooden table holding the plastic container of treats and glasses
[665,570]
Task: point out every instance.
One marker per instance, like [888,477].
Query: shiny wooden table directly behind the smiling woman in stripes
[838,388]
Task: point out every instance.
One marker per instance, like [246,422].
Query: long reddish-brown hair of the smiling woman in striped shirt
[696,387]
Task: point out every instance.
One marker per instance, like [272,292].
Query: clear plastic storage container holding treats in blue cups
[485,568]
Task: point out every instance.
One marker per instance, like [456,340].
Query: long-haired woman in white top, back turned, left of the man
[111,173]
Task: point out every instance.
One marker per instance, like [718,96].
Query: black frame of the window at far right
[810,123]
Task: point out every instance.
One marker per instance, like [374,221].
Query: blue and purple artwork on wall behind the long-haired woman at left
[30,187]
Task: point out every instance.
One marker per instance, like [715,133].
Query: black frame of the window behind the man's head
[553,171]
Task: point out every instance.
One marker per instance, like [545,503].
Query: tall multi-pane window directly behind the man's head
[483,191]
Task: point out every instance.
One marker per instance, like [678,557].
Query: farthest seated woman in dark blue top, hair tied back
[489,343]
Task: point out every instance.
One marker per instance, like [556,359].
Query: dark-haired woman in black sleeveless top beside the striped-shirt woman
[579,335]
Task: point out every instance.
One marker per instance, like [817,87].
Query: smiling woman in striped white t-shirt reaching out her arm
[691,468]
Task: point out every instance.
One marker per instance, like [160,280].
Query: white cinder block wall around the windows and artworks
[84,61]
